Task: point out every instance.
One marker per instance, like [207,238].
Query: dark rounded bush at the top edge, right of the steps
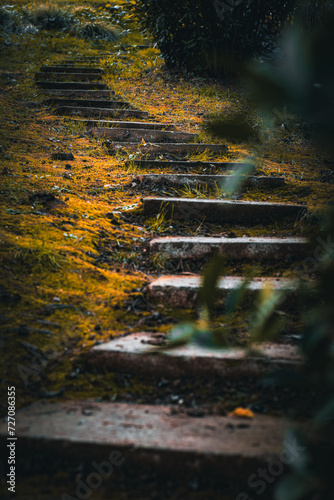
[215,35]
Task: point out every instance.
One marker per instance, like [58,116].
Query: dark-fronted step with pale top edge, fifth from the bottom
[222,211]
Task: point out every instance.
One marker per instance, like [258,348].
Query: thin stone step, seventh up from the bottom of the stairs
[176,164]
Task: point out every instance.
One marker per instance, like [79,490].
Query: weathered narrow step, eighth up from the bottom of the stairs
[180,149]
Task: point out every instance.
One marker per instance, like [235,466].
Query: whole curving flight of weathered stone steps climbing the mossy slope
[181,455]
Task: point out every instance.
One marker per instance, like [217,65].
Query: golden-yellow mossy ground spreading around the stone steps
[72,272]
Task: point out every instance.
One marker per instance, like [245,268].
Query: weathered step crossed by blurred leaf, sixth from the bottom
[211,181]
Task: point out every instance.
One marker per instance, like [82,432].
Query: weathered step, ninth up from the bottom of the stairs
[137,135]
